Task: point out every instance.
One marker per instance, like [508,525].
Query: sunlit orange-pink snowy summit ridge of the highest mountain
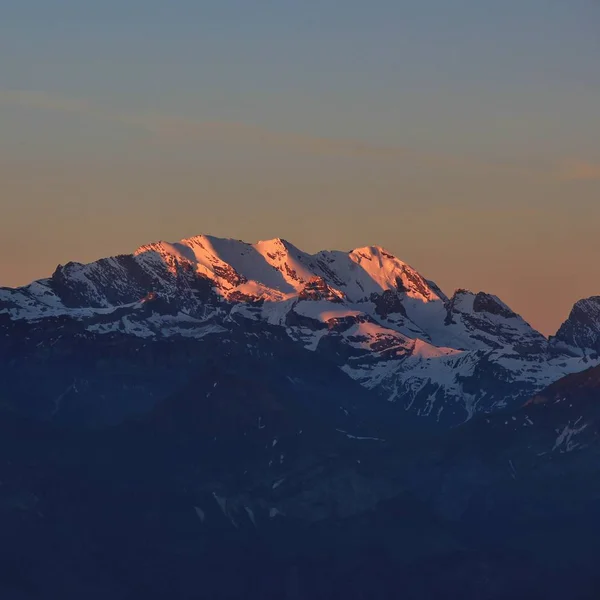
[275,269]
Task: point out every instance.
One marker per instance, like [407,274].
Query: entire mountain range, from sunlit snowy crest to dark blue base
[214,420]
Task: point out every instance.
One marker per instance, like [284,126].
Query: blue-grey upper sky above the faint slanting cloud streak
[486,76]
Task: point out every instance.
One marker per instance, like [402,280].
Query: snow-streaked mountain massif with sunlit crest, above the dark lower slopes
[369,313]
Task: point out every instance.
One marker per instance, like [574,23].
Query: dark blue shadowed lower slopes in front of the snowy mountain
[244,490]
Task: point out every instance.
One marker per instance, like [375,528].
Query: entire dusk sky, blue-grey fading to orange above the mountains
[462,136]
